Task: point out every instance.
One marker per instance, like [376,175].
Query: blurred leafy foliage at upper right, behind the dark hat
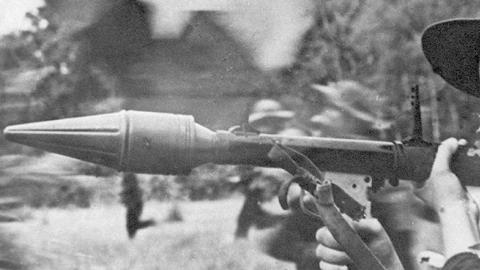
[377,43]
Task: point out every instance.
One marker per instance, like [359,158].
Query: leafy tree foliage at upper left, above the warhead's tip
[69,82]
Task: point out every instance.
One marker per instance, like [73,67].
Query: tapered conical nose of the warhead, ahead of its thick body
[98,139]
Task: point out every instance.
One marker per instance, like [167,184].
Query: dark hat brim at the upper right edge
[452,48]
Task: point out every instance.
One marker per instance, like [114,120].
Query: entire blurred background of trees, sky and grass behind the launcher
[323,68]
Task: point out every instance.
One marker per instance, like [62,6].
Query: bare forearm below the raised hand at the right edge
[459,228]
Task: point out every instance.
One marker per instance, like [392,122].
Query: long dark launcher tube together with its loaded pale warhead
[163,143]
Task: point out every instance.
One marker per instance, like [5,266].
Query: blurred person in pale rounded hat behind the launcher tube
[291,237]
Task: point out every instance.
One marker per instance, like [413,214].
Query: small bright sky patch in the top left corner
[12,14]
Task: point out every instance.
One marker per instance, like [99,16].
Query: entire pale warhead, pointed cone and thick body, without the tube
[142,142]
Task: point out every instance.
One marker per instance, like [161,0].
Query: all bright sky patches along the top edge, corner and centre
[271,29]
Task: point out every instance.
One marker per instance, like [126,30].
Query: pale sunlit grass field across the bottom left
[95,238]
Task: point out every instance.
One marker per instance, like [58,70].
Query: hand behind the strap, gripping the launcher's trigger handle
[332,256]
